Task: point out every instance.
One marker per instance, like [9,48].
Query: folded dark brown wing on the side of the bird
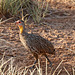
[39,44]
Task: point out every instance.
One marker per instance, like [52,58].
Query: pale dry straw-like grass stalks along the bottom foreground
[7,68]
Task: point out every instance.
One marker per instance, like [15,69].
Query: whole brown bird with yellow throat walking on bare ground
[35,43]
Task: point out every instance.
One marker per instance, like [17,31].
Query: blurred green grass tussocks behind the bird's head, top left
[20,8]
